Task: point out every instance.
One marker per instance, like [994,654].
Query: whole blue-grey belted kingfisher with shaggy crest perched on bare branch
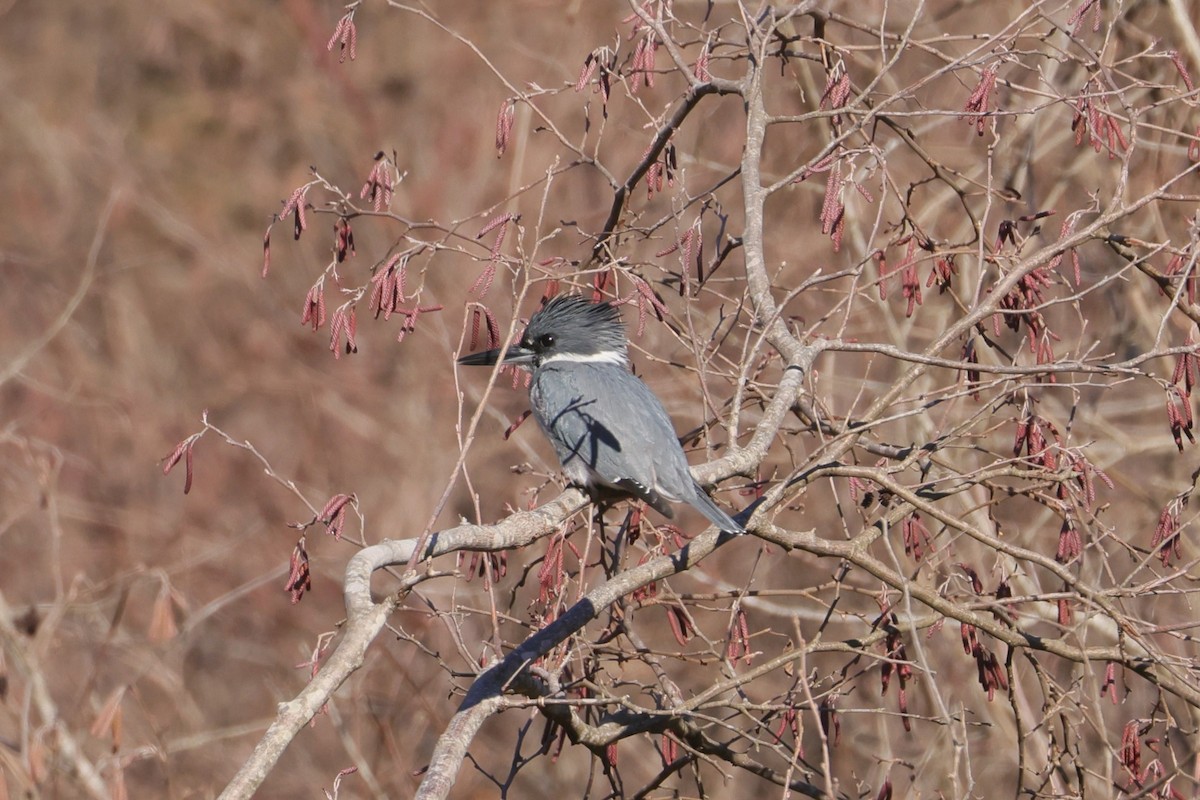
[610,432]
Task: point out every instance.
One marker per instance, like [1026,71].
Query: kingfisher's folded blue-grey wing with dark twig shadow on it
[607,424]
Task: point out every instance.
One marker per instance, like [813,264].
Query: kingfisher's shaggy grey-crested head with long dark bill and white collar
[568,329]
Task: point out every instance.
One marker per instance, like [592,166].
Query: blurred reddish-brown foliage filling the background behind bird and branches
[146,151]
